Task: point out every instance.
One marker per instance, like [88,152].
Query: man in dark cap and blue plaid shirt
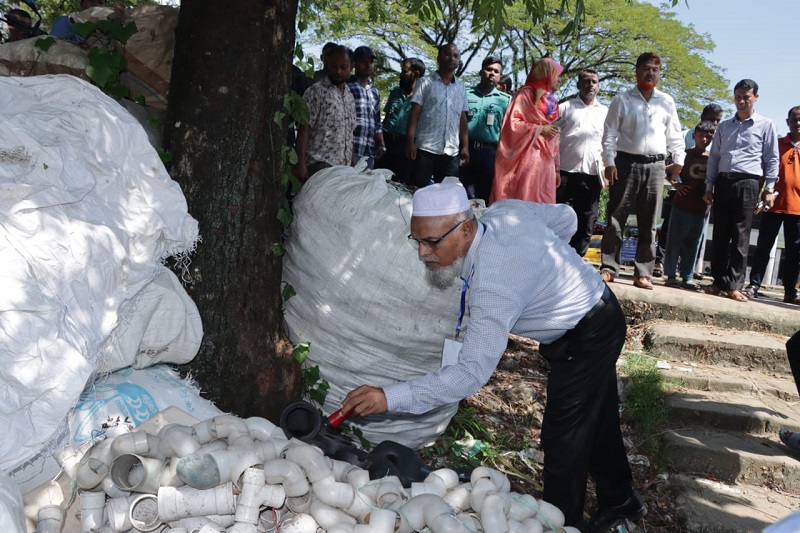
[368,136]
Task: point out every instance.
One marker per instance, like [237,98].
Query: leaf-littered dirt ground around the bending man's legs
[511,405]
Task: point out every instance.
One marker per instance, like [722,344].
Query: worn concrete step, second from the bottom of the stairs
[732,457]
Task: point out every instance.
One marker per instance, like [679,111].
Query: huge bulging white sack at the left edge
[87,214]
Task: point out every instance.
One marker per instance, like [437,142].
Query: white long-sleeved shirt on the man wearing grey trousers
[637,126]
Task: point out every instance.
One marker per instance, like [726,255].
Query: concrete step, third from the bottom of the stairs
[748,413]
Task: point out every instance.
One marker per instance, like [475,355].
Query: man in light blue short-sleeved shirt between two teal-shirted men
[437,139]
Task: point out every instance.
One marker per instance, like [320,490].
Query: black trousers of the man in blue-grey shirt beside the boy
[734,202]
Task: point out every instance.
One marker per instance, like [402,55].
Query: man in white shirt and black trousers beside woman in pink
[581,147]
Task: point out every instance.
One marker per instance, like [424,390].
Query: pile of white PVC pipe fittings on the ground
[245,476]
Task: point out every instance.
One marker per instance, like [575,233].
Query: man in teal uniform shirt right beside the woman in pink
[487,106]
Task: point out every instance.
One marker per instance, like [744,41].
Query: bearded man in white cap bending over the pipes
[518,275]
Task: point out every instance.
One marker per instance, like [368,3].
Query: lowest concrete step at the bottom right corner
[708,506]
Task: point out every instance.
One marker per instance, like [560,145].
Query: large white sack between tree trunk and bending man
[362,300]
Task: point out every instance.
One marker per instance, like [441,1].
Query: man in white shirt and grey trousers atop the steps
[641,124]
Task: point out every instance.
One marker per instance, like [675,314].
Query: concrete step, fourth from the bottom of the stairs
[698,376]
